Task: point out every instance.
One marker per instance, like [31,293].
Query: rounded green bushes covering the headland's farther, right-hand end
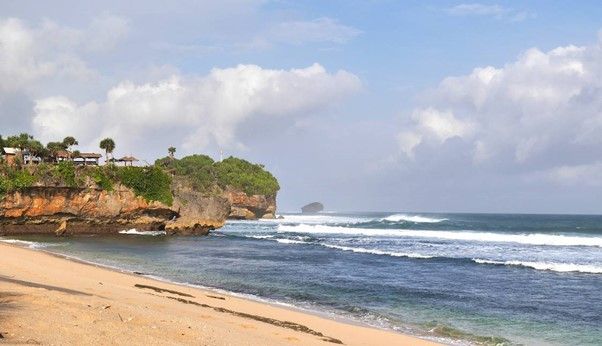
[209,176]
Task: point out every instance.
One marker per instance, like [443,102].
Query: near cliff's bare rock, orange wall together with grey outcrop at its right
[66,210]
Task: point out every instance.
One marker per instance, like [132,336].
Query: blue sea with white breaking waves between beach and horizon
[459,279]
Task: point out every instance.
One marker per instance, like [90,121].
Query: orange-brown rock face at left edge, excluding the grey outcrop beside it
[65,210]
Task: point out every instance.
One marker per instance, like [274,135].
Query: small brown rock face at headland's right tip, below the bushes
[245,207]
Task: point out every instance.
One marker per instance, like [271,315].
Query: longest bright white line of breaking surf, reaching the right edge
[528,239]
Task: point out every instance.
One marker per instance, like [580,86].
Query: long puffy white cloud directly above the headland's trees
[204,110]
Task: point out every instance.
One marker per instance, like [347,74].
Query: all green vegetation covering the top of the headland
[153,182]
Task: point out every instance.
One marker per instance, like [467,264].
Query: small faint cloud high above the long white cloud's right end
[320,30]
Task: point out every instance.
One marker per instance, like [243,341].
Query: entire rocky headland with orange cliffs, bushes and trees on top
[43,194]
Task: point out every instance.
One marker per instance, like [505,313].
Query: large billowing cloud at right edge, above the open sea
[543,109]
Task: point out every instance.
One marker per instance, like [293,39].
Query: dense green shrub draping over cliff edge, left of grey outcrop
[152,183]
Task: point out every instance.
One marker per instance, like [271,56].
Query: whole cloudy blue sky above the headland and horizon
[375,105]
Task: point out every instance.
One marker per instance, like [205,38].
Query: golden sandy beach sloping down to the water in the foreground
[46,299]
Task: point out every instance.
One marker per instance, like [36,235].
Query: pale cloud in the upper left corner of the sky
[30,54]
